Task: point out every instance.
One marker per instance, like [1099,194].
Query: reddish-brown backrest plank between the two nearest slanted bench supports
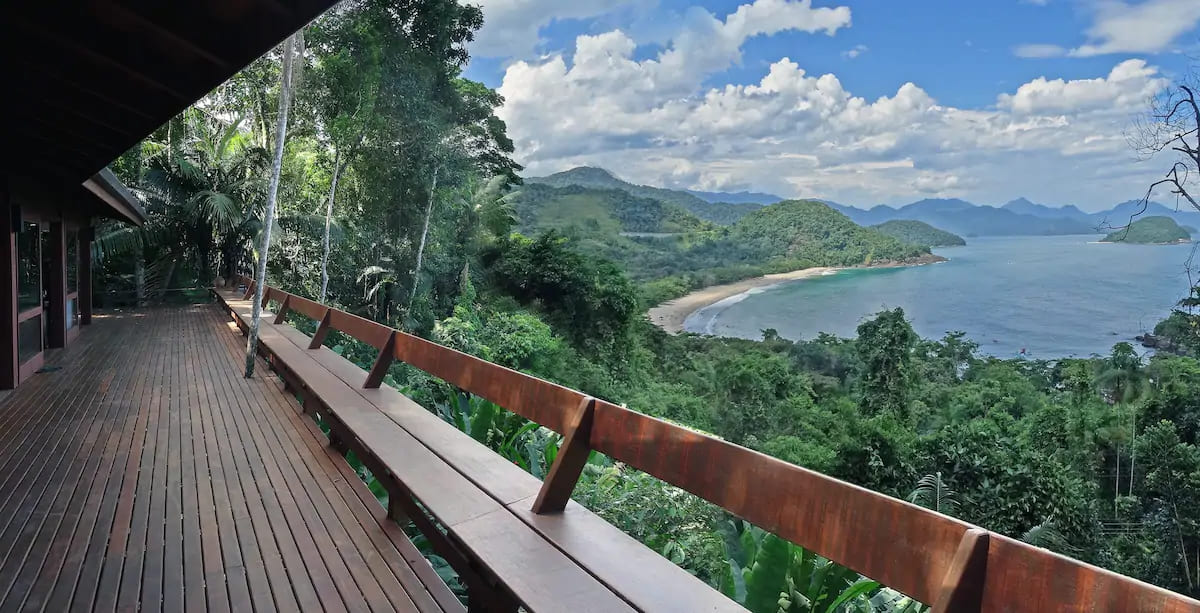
[807,508]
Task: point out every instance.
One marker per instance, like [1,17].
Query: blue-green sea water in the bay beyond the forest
[1053,297]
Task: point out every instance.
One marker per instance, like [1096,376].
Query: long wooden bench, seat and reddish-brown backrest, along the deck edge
[937,560]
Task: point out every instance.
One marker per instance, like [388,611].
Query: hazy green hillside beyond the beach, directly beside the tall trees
[599,212]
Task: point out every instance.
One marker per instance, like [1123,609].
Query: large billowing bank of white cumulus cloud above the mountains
[797,134]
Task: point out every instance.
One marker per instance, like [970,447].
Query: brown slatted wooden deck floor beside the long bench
[148,474]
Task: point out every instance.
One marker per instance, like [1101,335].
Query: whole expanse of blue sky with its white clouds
[859,103]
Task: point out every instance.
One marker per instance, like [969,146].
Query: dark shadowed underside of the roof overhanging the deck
[87,80]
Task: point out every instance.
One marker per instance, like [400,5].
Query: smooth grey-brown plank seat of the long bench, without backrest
[583,540]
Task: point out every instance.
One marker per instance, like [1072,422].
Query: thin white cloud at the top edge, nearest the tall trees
[512,27]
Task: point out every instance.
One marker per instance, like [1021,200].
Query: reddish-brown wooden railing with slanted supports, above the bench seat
[937,560]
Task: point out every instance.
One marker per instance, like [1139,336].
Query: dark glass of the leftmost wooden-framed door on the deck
[31,314]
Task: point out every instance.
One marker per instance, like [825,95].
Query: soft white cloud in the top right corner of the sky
[1124,27]
